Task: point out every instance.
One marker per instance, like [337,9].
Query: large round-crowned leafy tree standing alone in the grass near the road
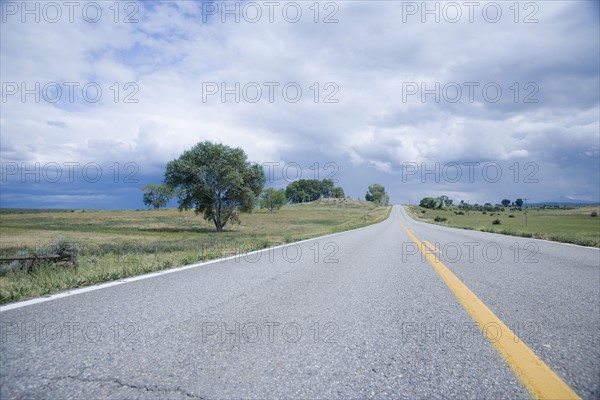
[215,180]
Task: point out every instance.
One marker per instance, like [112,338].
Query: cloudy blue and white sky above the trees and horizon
[479,101]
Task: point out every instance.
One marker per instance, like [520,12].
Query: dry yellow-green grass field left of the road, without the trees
[118,244]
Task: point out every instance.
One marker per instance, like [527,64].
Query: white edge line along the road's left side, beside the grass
[92,288]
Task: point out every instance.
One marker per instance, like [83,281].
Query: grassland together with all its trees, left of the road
[49,252]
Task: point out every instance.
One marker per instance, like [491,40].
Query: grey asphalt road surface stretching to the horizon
[360,314]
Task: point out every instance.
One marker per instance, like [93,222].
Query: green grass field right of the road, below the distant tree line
[571,225]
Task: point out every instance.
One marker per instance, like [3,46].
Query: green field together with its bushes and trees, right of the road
[568,224]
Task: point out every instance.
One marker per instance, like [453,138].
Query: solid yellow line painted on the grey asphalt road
[536,376]
